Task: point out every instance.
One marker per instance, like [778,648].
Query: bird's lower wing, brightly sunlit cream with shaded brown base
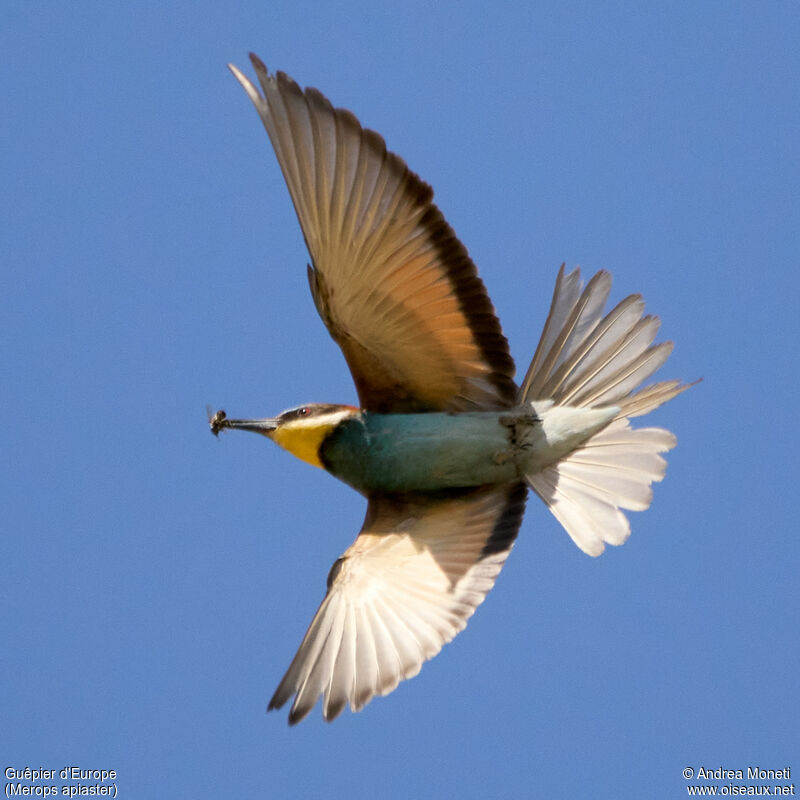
[406,586]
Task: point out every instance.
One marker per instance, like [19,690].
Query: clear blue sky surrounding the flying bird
[156,581]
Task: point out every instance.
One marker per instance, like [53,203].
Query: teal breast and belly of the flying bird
[419,452]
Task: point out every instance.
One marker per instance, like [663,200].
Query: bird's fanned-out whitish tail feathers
[587,360]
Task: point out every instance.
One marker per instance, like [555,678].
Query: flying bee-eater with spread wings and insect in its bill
[444,444]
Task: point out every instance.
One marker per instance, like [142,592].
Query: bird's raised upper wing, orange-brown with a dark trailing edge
[396,289]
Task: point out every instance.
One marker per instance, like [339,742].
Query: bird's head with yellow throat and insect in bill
[299,430]
